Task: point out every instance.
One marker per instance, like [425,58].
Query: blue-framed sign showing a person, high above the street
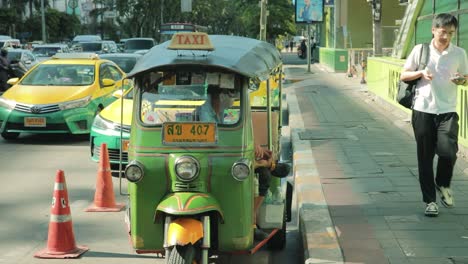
[309,11]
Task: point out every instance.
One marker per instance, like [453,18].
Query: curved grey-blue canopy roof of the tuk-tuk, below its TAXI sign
[249,57]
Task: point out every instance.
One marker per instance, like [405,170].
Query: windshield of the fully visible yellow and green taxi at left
[60,75]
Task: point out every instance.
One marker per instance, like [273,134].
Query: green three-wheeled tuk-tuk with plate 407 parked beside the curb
[190,172]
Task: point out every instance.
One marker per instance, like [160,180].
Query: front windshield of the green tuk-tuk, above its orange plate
[190,97]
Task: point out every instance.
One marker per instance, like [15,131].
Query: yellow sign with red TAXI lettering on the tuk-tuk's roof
[191,41]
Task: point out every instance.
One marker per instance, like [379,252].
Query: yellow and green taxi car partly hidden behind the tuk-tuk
[109,127]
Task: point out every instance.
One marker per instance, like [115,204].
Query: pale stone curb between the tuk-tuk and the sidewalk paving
[319,237]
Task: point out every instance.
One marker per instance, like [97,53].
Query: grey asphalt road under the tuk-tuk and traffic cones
[28,169]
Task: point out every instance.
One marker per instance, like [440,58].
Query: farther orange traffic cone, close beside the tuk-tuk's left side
[104,200]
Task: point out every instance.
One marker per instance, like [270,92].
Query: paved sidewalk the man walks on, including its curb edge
[356,183]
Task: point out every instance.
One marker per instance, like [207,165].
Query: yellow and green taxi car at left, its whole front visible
[60,95]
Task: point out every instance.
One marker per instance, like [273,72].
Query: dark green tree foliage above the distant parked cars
[142,18]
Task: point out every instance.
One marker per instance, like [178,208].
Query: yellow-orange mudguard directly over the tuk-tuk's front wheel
[183,231]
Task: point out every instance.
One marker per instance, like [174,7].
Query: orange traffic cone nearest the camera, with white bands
[61,240]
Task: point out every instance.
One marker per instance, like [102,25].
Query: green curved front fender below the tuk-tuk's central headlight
[185,203]
